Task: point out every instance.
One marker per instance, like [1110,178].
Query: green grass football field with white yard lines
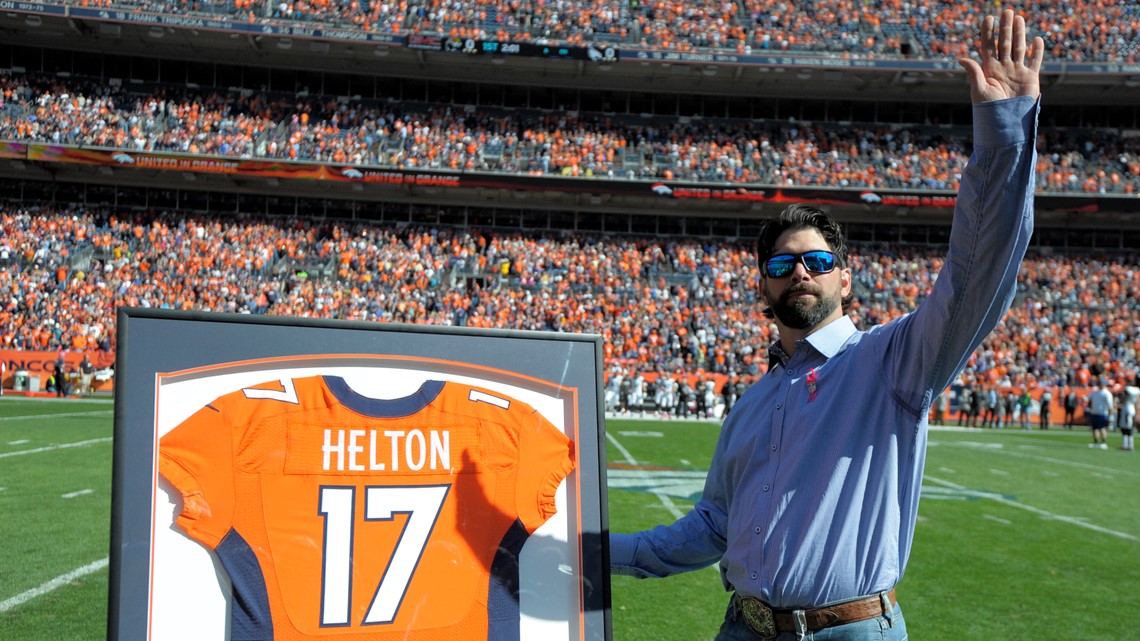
[1022,535]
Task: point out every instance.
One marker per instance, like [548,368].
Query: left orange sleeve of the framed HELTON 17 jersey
[198,459]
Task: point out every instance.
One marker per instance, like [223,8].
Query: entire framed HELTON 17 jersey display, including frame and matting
[286,480]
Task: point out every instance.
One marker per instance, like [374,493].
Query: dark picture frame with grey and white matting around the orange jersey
[172,361]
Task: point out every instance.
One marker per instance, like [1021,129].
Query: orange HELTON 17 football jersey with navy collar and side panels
[344,517]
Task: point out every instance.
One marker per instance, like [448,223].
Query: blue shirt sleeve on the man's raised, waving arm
[994,222]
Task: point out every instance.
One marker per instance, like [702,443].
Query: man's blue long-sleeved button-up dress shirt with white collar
[813,491]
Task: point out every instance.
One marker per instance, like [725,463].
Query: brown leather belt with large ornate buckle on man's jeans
[768,622]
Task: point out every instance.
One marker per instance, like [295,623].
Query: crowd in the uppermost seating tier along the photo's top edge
[1079,31]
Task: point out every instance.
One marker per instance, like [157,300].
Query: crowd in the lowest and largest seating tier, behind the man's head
[677,307]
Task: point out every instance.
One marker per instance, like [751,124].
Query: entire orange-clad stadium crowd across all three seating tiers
[683,309]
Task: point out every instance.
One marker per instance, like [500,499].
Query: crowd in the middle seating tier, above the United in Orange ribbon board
[327,129]
